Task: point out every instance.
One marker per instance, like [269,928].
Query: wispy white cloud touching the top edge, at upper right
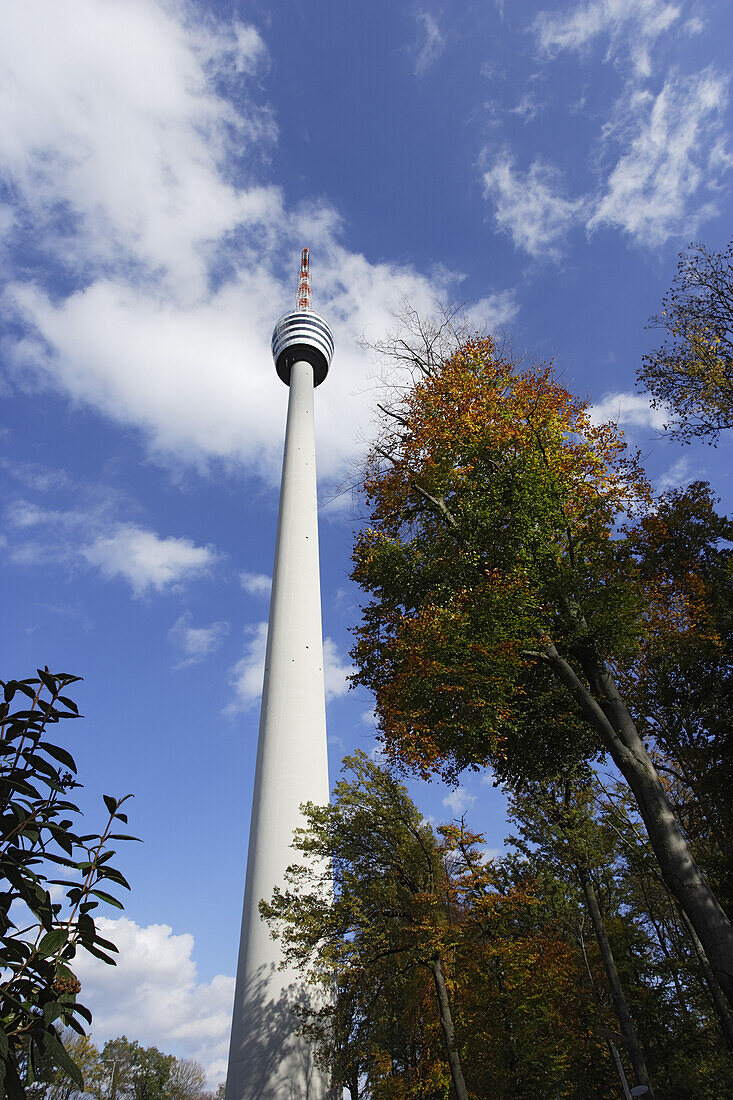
[631,26]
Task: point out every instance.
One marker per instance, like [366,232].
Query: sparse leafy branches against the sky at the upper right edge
[692,375]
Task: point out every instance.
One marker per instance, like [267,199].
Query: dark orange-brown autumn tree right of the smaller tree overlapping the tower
[530,1031]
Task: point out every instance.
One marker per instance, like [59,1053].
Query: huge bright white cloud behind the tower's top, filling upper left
[178,271]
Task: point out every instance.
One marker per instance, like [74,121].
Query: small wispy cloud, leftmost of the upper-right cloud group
[531,208]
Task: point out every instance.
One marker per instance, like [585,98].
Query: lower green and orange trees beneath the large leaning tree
[404,895]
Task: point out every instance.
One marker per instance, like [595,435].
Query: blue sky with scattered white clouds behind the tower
[161,167]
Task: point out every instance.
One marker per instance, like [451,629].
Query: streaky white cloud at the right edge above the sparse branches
[679,152]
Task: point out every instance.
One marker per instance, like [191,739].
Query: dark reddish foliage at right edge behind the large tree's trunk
[682,686]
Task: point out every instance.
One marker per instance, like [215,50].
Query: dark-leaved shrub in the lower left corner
[41,936]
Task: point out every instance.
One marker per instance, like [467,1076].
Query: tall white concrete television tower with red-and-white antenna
[268,1061]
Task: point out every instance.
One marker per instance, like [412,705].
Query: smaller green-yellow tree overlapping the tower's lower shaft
[390,928]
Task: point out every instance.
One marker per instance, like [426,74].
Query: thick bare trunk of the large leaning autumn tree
[605,709]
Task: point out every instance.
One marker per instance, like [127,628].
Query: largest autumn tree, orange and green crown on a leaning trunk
[506,596]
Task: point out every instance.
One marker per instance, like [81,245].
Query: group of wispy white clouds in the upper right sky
[661,158]
